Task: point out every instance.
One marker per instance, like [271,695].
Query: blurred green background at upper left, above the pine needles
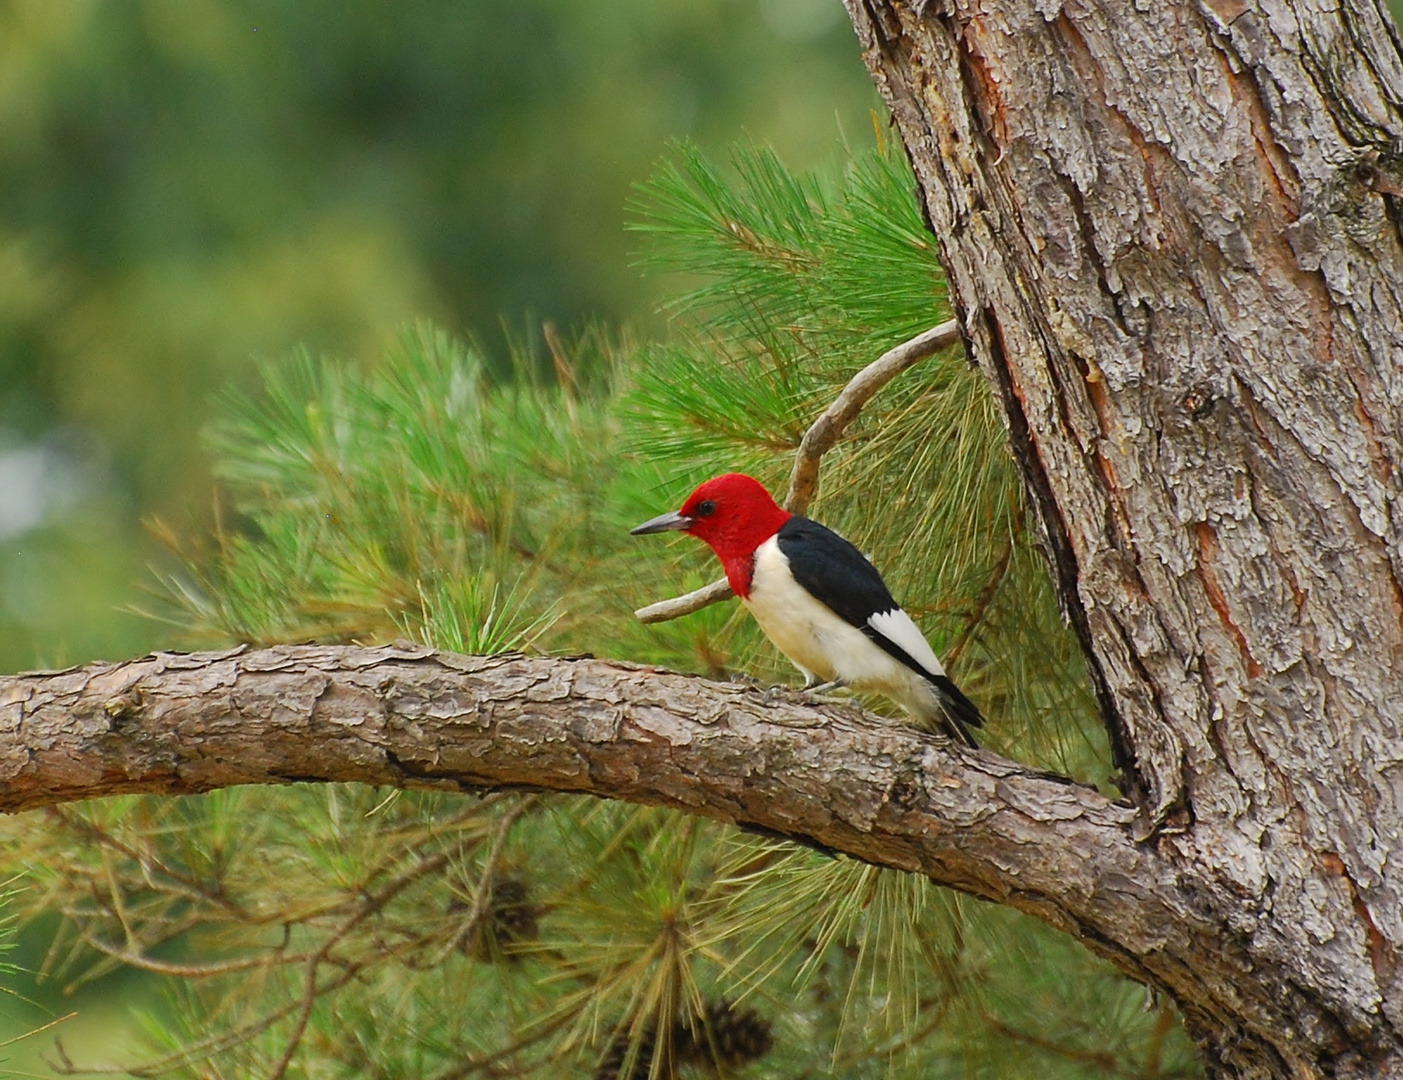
[187,186]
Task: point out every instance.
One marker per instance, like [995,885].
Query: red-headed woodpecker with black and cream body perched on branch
[821,602]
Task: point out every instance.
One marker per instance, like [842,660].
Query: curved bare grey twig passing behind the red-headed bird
[820,438]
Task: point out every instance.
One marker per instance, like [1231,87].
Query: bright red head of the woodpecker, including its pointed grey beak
[734,514]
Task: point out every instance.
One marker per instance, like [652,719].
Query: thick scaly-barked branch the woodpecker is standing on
[830,776]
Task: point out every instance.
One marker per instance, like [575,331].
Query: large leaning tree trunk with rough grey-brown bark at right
[1172,234]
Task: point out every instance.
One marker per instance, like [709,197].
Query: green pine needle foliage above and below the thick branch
[332,932]
